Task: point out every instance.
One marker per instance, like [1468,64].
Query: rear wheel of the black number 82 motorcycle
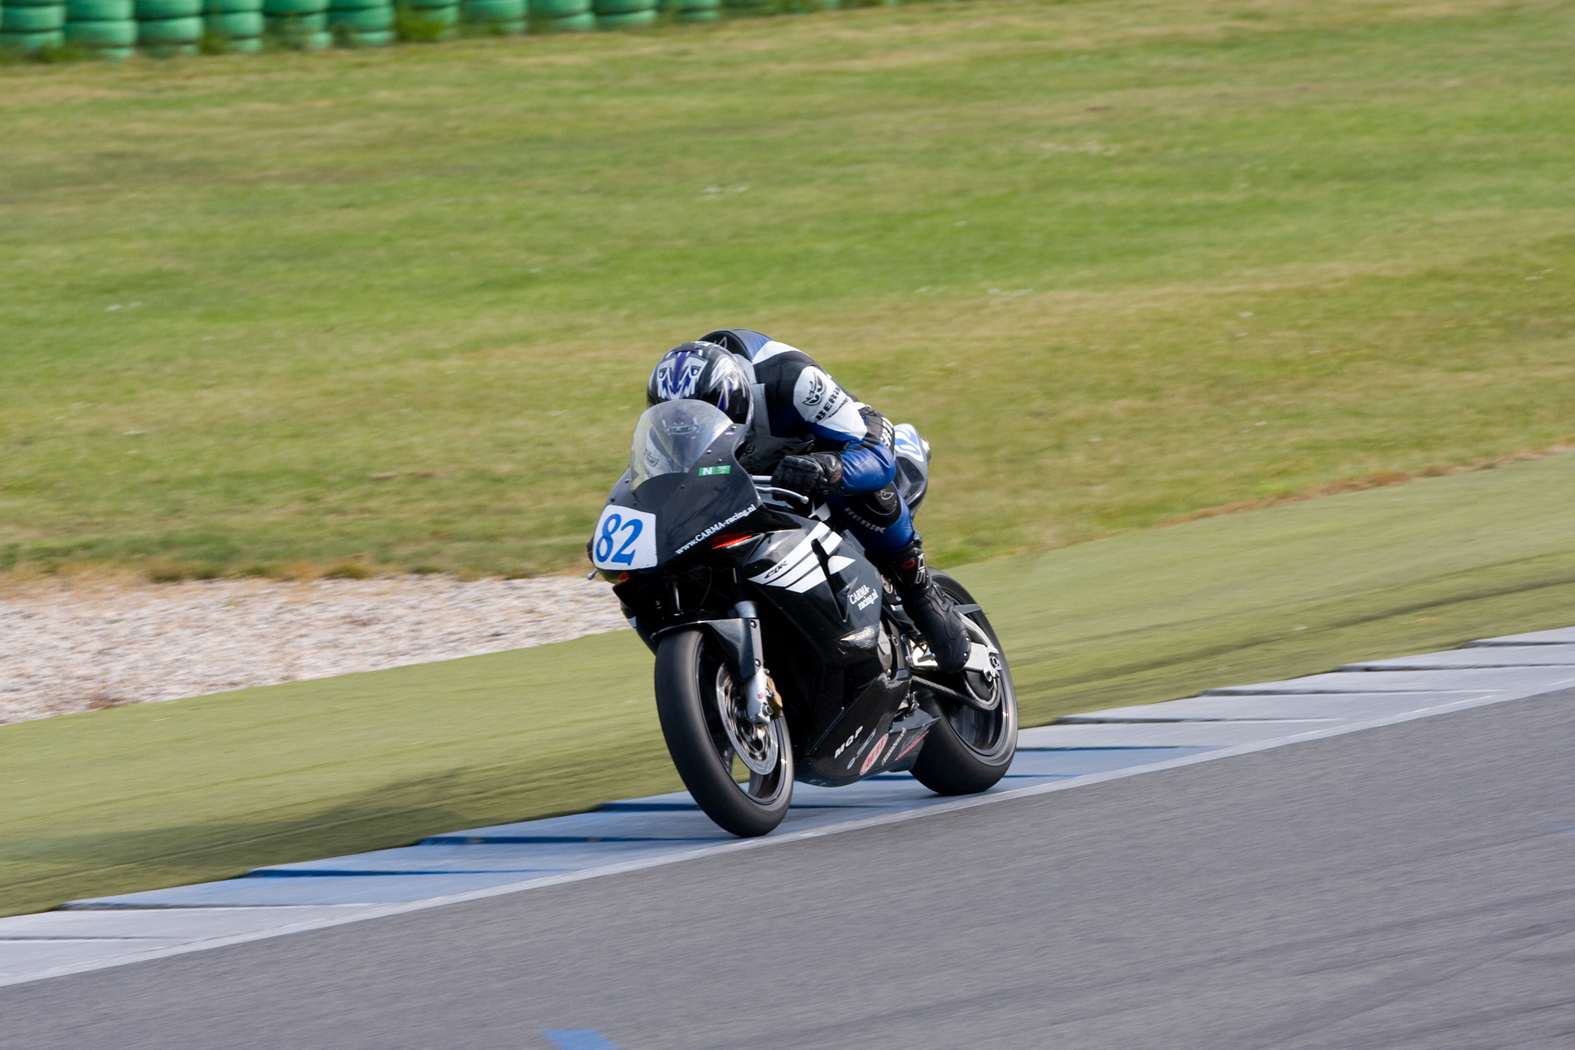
[969,750]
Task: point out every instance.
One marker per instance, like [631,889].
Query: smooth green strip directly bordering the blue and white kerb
[161,794]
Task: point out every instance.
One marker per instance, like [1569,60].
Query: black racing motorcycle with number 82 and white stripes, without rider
[782,653]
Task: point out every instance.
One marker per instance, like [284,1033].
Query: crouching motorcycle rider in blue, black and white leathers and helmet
[812,437]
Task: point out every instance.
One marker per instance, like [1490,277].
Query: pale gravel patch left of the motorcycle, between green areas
[80,648]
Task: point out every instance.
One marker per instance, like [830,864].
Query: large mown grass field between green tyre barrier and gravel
[1121,261]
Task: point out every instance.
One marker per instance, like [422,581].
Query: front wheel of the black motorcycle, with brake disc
[739,774]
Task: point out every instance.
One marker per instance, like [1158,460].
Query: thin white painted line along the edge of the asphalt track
[377,912]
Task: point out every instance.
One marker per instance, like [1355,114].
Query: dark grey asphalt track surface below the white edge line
[1410,885]
